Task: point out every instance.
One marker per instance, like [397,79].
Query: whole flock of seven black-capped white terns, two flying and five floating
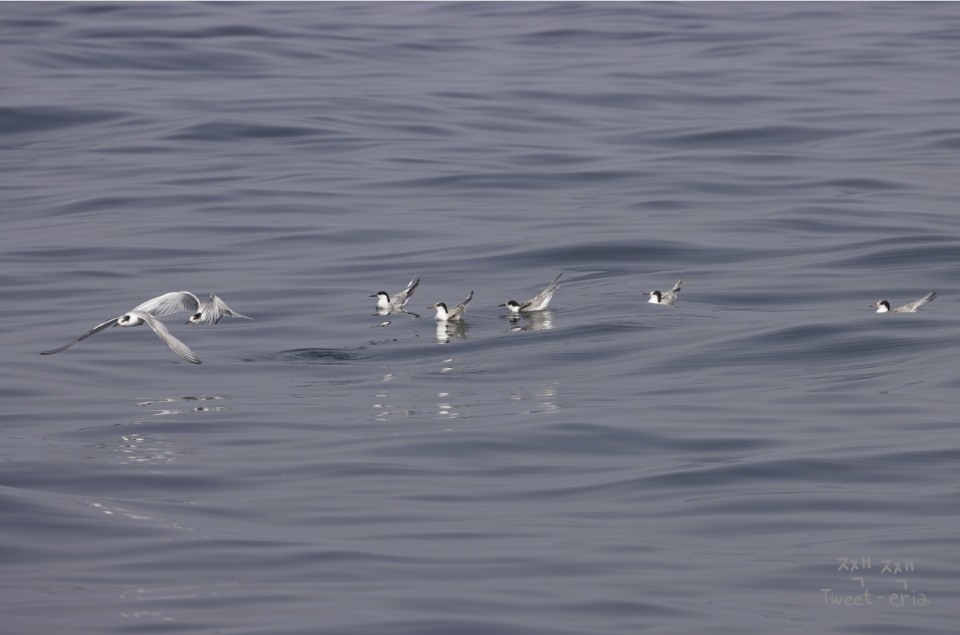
[211,311]
